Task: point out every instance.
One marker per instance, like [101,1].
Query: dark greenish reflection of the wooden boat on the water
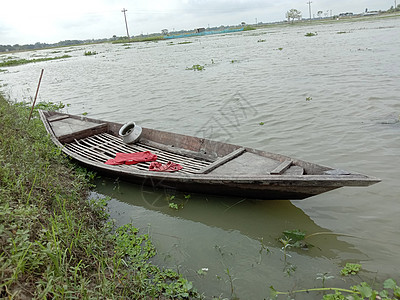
[260,220]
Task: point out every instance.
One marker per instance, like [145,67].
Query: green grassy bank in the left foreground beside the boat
[54,243]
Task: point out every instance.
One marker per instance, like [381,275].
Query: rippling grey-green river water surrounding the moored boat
[333,99]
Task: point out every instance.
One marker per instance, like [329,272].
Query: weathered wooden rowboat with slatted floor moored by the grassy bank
[210,167]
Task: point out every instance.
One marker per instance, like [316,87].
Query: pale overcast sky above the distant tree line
[49,21]
